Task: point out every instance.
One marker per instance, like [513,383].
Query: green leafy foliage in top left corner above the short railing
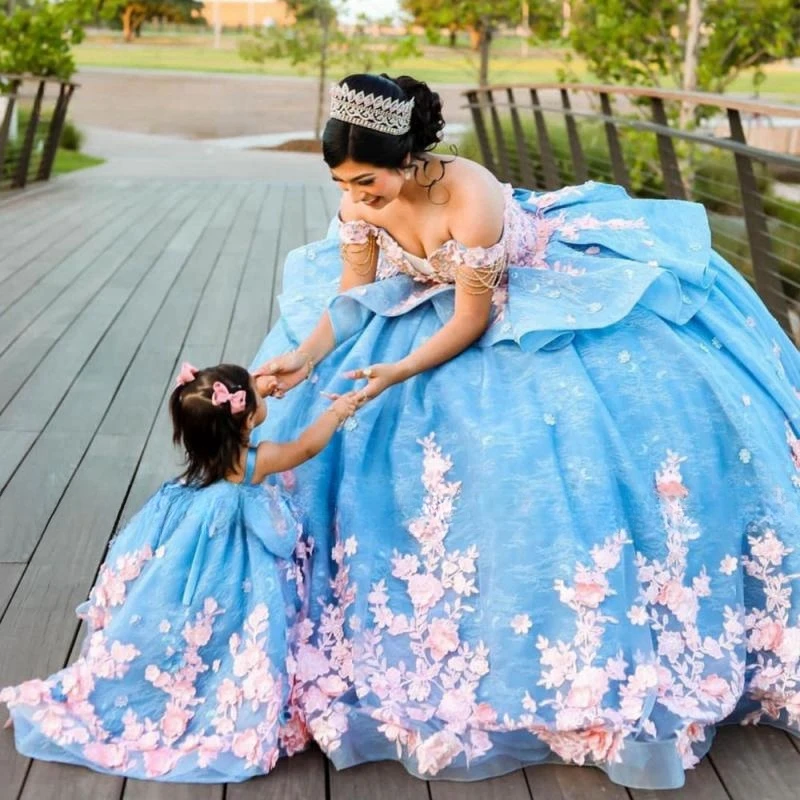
[38,39]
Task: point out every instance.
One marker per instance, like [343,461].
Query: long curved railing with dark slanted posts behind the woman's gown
[544,136]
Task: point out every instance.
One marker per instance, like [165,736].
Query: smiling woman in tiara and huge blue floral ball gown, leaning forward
[566,524]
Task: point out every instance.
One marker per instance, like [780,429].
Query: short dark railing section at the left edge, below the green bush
[27,153]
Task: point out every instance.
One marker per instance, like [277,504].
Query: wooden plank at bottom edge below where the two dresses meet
[301,777]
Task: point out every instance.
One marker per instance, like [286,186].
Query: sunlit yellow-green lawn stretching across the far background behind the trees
[194,52]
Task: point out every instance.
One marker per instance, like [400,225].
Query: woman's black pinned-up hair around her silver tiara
[343,140]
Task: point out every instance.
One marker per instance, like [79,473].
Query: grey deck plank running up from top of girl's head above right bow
[254,302]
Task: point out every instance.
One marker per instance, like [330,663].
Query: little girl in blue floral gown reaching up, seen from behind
[185,672]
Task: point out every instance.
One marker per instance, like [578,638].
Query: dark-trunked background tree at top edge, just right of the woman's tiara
[482,19]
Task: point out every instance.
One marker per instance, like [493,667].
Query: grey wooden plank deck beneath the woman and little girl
[105,286]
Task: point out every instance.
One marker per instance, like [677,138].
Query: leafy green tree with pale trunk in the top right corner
[702,44]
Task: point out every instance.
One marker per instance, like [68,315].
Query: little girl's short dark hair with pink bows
[211,435]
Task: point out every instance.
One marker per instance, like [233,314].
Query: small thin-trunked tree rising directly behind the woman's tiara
[316,40]
